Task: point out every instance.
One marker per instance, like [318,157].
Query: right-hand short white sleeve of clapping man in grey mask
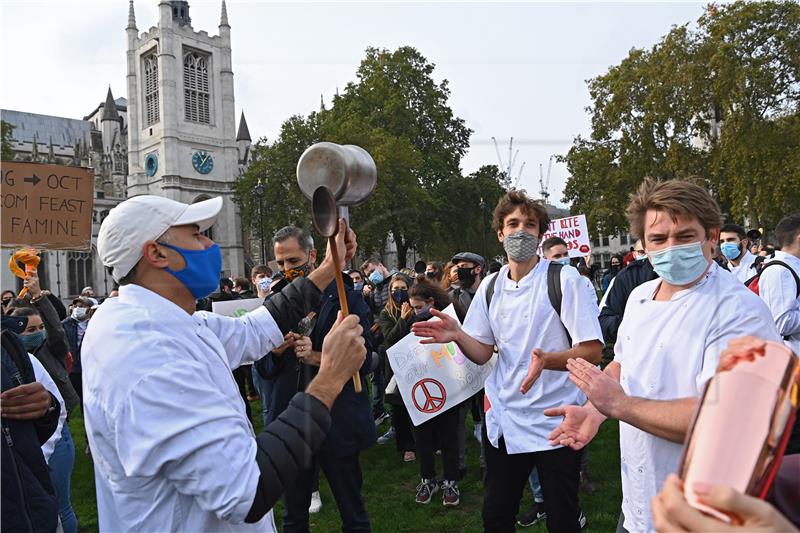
[578,312]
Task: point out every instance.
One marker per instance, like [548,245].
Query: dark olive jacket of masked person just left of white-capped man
[53,353]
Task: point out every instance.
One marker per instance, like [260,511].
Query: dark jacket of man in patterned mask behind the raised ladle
[352,426]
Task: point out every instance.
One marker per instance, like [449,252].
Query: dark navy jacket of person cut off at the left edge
[28,497]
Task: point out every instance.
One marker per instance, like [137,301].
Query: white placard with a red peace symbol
[432,378]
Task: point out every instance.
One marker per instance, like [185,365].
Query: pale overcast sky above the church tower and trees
[515,69]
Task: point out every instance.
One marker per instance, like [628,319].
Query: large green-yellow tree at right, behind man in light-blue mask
[650,115]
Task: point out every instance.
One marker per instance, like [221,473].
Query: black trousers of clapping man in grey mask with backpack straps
[507,476]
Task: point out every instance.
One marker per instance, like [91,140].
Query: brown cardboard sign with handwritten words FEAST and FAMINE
[47,206]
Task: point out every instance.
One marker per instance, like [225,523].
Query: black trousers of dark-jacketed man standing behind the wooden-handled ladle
[345,479]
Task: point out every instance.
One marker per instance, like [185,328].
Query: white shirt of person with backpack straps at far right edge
[778,289]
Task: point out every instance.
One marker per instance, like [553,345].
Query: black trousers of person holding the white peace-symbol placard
[440,432]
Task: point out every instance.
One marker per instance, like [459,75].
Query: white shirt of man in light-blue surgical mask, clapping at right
[668,350]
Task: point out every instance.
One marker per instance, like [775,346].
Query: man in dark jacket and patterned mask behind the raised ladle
[352,430]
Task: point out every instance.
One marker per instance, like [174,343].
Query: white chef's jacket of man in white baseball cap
[171,445]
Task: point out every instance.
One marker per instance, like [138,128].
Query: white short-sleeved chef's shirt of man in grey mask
[521,319]
